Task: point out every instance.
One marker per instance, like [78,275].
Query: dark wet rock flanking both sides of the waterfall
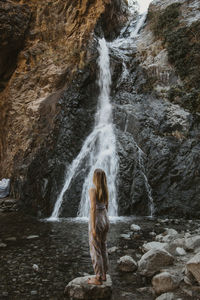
[158,144]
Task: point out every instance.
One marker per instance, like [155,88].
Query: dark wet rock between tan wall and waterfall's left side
[44,178]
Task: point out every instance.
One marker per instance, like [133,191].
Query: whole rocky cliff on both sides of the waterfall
[49,97]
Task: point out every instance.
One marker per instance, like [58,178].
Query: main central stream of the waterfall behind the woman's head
[103,155]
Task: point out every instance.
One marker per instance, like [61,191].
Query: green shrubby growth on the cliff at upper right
[183,46]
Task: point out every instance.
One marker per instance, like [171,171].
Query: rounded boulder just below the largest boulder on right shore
[165,282]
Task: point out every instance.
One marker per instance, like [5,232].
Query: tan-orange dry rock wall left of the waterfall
[54,48]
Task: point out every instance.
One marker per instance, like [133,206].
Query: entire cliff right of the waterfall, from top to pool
[158,110]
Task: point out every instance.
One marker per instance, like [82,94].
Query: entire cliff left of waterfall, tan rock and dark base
[47,48]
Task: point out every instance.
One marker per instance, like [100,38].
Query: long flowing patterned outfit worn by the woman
[98,245]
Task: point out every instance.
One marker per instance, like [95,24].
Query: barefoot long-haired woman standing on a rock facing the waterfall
[98,226]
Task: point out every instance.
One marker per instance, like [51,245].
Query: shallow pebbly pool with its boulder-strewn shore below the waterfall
[149,257]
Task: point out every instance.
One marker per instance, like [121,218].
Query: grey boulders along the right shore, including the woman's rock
[168,265]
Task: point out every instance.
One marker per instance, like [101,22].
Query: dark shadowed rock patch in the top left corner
[14,21]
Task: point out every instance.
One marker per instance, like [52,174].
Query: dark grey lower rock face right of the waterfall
[169,139]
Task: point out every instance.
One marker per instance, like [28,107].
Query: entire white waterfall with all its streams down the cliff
[100,146]
